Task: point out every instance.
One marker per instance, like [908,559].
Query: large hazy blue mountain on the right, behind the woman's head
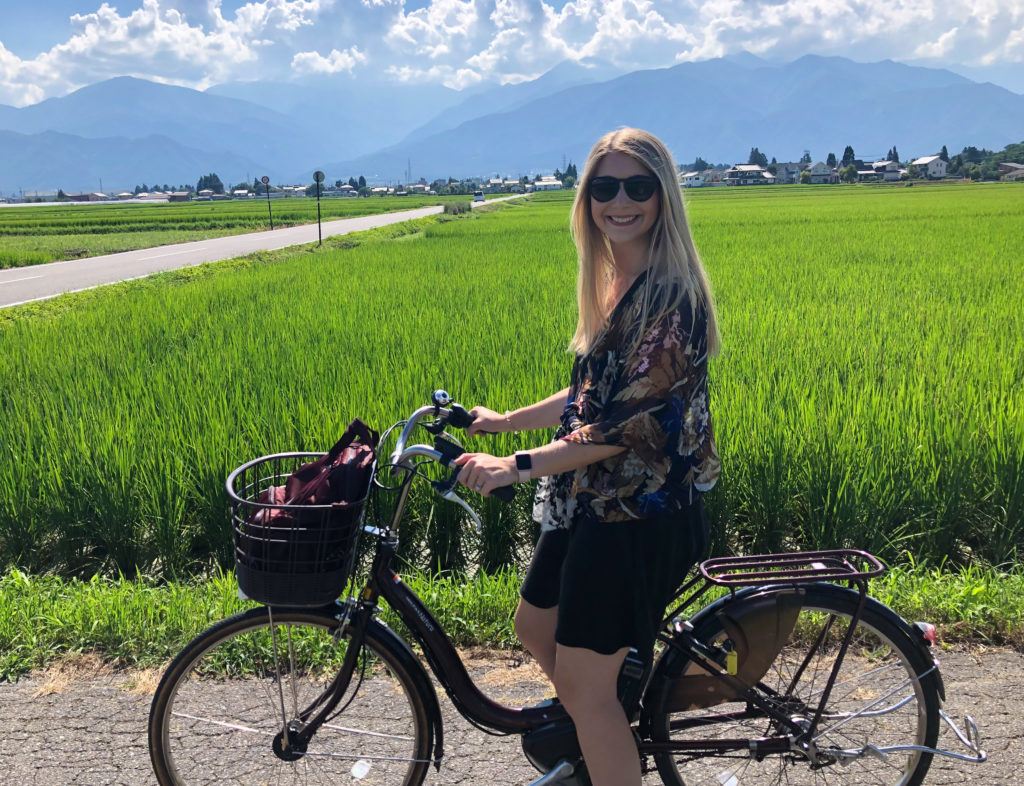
[719,110]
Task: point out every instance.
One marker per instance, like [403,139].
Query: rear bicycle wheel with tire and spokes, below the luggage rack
[880,698]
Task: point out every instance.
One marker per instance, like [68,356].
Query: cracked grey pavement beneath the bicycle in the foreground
[82,724]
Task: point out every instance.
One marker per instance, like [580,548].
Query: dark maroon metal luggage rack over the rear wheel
[797,567]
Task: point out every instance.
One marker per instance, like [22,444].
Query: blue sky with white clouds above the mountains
[52,48]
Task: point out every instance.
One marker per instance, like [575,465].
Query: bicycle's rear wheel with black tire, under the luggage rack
[881,638]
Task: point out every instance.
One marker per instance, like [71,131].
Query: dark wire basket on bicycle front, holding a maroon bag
[290,555]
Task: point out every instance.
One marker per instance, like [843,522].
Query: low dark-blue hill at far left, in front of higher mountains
[51,160]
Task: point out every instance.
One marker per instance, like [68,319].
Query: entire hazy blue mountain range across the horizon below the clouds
[129,130]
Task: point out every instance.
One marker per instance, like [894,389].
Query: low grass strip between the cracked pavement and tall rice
[142,624]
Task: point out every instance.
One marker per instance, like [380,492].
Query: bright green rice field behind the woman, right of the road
[870,391]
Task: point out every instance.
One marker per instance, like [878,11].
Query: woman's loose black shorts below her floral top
[613,581]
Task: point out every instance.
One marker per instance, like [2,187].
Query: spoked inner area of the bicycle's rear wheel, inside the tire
[876,700]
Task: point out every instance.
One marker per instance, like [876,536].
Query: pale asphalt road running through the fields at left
[25,285]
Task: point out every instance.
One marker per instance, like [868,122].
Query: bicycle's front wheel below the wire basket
[221,710]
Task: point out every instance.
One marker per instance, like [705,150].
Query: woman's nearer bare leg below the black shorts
[586,682]
